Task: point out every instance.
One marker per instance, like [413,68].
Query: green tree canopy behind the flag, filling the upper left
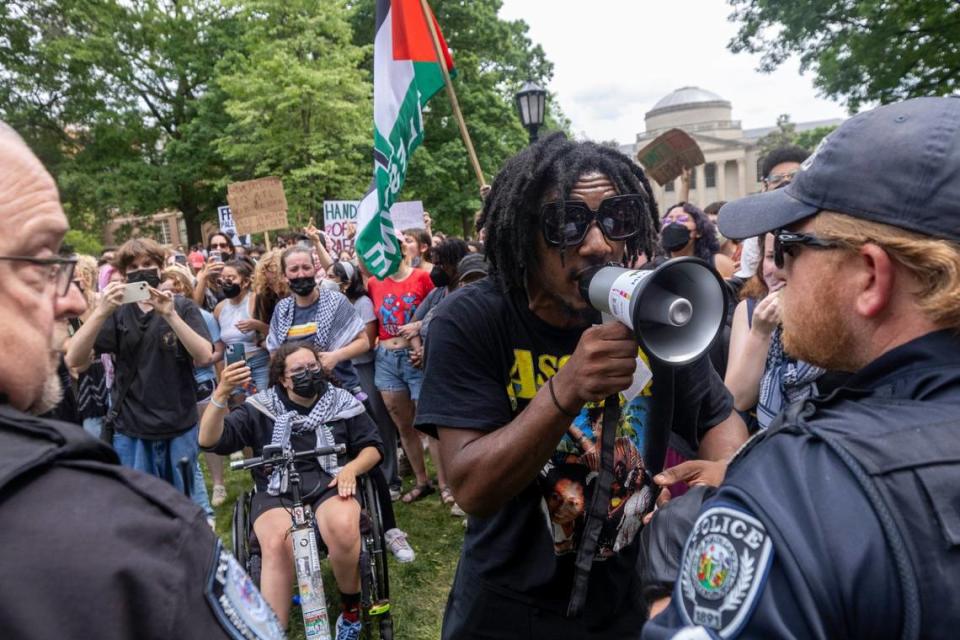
[140,106]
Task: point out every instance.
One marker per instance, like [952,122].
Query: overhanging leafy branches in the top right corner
[861,51]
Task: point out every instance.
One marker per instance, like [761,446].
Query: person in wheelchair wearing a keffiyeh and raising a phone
[303,410]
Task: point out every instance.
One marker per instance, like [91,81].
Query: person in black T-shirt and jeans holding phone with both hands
[155,343]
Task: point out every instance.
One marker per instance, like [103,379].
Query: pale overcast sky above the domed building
[613,59]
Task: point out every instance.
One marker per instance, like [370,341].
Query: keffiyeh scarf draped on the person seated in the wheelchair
[335,404]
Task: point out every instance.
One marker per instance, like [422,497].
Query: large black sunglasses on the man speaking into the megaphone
[567,223]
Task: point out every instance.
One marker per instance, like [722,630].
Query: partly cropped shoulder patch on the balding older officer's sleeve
[237,602]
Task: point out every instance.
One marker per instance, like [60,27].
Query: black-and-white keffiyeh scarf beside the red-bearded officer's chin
[784,381]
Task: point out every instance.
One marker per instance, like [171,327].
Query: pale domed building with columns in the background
[731,153]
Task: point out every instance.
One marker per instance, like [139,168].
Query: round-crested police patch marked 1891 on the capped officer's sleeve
[725,565]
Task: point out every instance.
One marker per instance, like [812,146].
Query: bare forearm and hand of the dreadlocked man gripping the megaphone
[510,457]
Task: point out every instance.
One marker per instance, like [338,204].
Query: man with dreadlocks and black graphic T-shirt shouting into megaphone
[514,369]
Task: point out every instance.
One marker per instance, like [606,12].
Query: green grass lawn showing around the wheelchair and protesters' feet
[418,590]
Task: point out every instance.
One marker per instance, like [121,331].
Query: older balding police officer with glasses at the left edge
[87,548]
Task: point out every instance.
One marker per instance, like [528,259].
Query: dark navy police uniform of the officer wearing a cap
[841,521]
